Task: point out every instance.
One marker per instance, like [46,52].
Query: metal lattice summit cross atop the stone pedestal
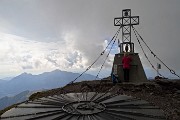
[126,21]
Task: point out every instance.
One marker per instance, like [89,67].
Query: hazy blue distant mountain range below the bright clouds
[47,80]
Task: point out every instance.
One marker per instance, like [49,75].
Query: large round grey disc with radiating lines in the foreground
[85,106]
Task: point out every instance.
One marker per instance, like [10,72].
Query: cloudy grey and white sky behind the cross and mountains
[43,35]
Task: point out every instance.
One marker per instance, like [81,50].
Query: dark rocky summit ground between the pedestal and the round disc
[162,93]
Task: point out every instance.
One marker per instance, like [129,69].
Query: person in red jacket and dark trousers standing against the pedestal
[126,60]
